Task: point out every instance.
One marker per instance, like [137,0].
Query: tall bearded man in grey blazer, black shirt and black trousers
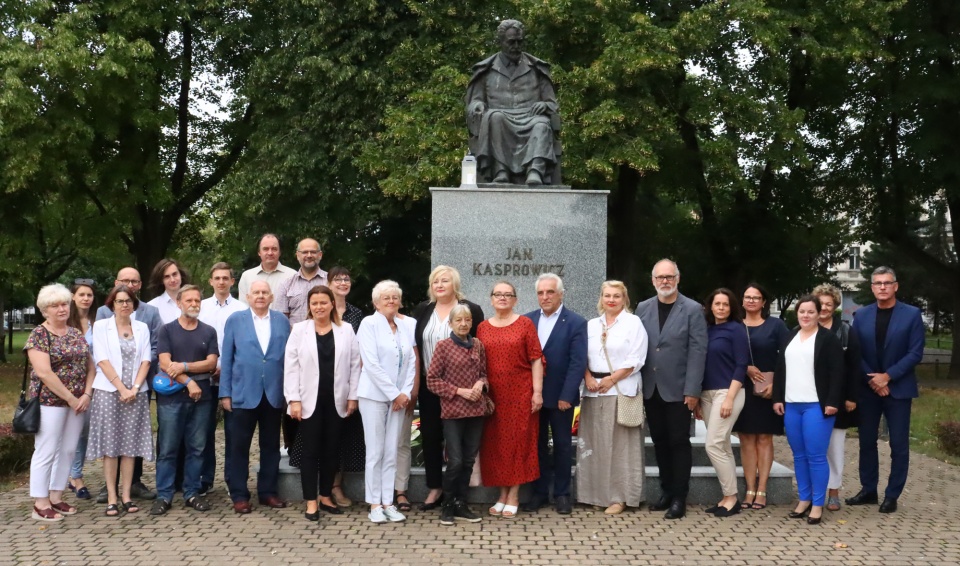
[672,378]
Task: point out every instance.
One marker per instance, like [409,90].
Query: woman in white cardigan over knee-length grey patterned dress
[120,410]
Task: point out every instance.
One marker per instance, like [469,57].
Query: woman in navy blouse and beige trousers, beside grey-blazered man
[722,396]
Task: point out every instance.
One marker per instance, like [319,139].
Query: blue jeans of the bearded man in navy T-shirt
[178,423]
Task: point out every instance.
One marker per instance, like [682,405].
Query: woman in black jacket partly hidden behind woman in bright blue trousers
[830,301]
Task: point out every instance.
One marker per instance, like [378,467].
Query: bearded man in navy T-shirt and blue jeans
[187,350]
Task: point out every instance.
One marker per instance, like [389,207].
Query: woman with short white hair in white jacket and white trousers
[386,381]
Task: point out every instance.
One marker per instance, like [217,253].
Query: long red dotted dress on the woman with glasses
[508,452]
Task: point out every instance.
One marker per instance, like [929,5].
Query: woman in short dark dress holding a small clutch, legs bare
[757,422]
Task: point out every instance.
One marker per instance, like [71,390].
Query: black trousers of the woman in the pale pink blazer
[321,448]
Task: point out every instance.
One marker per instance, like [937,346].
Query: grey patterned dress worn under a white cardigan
[121,429]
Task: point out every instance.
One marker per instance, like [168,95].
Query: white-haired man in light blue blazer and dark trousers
[251,388]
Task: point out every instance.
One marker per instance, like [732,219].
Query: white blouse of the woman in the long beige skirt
[626,345]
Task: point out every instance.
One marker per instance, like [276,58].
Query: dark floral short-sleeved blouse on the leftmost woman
[68,359]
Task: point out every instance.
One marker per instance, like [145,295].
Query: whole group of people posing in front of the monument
[297,361]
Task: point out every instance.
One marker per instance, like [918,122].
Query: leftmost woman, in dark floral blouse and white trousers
[62,376]
